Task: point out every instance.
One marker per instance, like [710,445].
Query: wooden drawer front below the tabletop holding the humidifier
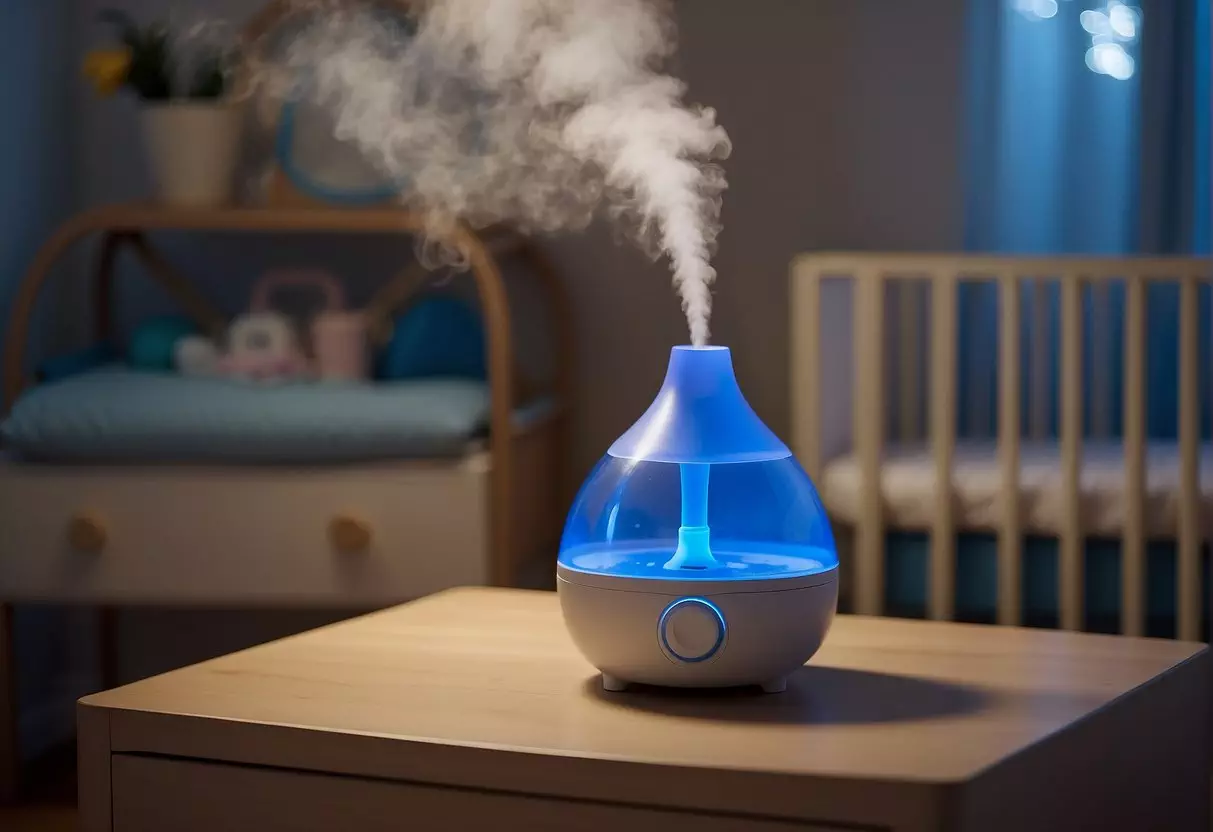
[153,795]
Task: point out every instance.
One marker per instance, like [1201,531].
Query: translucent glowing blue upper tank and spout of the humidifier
[699,489]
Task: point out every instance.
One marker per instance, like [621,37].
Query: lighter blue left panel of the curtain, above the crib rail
[1052,145]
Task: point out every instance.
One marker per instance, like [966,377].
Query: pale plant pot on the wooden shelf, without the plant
[193,150]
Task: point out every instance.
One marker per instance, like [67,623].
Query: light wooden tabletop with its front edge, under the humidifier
[475,679]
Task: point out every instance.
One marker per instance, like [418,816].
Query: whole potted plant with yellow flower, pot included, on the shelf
[183,79]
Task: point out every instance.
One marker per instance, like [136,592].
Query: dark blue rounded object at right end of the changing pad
[440,335]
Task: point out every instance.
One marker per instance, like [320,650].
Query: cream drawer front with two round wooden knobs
[341,537]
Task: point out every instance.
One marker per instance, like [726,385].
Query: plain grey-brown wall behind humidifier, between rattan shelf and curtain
[845,117]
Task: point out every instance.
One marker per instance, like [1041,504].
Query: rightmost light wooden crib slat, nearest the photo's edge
[1189,585]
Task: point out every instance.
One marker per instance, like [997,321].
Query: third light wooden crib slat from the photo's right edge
[1072,573]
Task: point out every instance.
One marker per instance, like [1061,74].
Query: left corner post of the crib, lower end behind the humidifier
[806,340]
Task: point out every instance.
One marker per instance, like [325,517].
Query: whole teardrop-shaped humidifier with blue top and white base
[698,554]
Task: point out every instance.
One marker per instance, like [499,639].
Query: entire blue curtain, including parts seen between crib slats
[1068,158]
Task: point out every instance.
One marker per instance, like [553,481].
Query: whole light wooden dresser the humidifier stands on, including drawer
[472,710]
